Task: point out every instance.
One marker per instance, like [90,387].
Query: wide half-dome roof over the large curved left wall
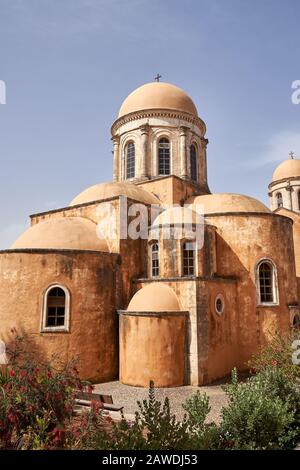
[66,233]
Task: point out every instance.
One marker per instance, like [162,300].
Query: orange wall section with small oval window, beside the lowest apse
[212,340]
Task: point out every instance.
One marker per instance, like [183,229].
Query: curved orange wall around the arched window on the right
[242,241]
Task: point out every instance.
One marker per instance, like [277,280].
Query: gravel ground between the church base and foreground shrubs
[127,396]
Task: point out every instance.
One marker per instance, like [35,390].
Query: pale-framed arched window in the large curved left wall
[56,309]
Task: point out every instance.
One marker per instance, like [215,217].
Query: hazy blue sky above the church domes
[68,64]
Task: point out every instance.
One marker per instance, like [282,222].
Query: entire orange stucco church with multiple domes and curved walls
[159,308]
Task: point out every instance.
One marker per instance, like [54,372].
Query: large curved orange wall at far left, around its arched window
[91,279]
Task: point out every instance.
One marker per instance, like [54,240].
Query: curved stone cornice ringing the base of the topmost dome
[148,113]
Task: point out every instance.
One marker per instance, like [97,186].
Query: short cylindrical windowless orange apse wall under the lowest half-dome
[152,347]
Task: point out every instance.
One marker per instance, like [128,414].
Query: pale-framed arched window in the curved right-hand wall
[266,278]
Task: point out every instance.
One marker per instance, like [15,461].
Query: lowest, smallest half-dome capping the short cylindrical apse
[155,297]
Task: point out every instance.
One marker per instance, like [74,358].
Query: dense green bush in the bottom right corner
[262,412]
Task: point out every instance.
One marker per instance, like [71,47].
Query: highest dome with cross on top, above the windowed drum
[158,95]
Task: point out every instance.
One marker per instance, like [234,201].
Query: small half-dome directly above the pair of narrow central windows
[178,215]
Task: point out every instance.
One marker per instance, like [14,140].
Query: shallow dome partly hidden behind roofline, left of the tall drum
[109,190]
